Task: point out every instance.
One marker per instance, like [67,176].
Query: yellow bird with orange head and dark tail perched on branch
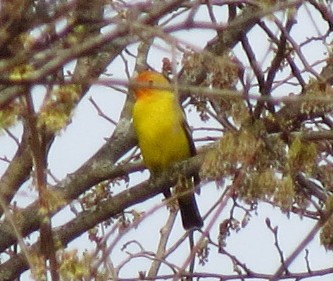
[164,136]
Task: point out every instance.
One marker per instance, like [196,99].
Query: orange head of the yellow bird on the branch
[148,82]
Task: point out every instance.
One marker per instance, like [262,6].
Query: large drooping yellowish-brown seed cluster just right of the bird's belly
[265,160]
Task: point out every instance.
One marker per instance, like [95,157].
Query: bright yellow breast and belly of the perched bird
[159,124]
